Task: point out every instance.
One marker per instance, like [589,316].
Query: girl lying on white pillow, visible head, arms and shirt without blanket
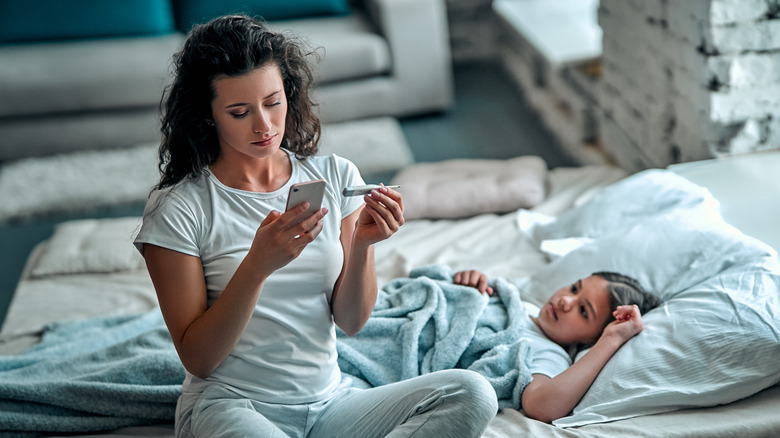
[600,312]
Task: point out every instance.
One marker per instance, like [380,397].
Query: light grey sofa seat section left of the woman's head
[90,75]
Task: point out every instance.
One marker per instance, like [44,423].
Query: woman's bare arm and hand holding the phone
[204,336]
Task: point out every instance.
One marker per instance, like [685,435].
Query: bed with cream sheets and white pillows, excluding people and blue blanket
[704,366]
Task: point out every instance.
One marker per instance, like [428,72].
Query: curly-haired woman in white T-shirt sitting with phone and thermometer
[250,295]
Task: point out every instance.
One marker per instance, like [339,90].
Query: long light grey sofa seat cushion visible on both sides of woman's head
[132,72]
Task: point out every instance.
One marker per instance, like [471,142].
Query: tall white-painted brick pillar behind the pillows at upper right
[688,79]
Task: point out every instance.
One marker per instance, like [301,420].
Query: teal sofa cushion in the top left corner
[25,20]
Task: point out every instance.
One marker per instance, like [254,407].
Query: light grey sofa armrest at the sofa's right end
[418,34]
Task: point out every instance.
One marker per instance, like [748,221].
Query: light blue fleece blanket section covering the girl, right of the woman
[426,323]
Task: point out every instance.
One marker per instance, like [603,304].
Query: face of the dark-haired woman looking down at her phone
[250,111]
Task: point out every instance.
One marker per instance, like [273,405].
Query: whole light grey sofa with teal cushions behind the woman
[78,83]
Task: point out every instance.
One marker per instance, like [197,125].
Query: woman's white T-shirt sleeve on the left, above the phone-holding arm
[170,223]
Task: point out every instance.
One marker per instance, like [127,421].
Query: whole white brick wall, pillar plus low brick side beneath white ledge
[677,81]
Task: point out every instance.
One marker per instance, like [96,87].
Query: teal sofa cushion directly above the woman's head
[190,12]
